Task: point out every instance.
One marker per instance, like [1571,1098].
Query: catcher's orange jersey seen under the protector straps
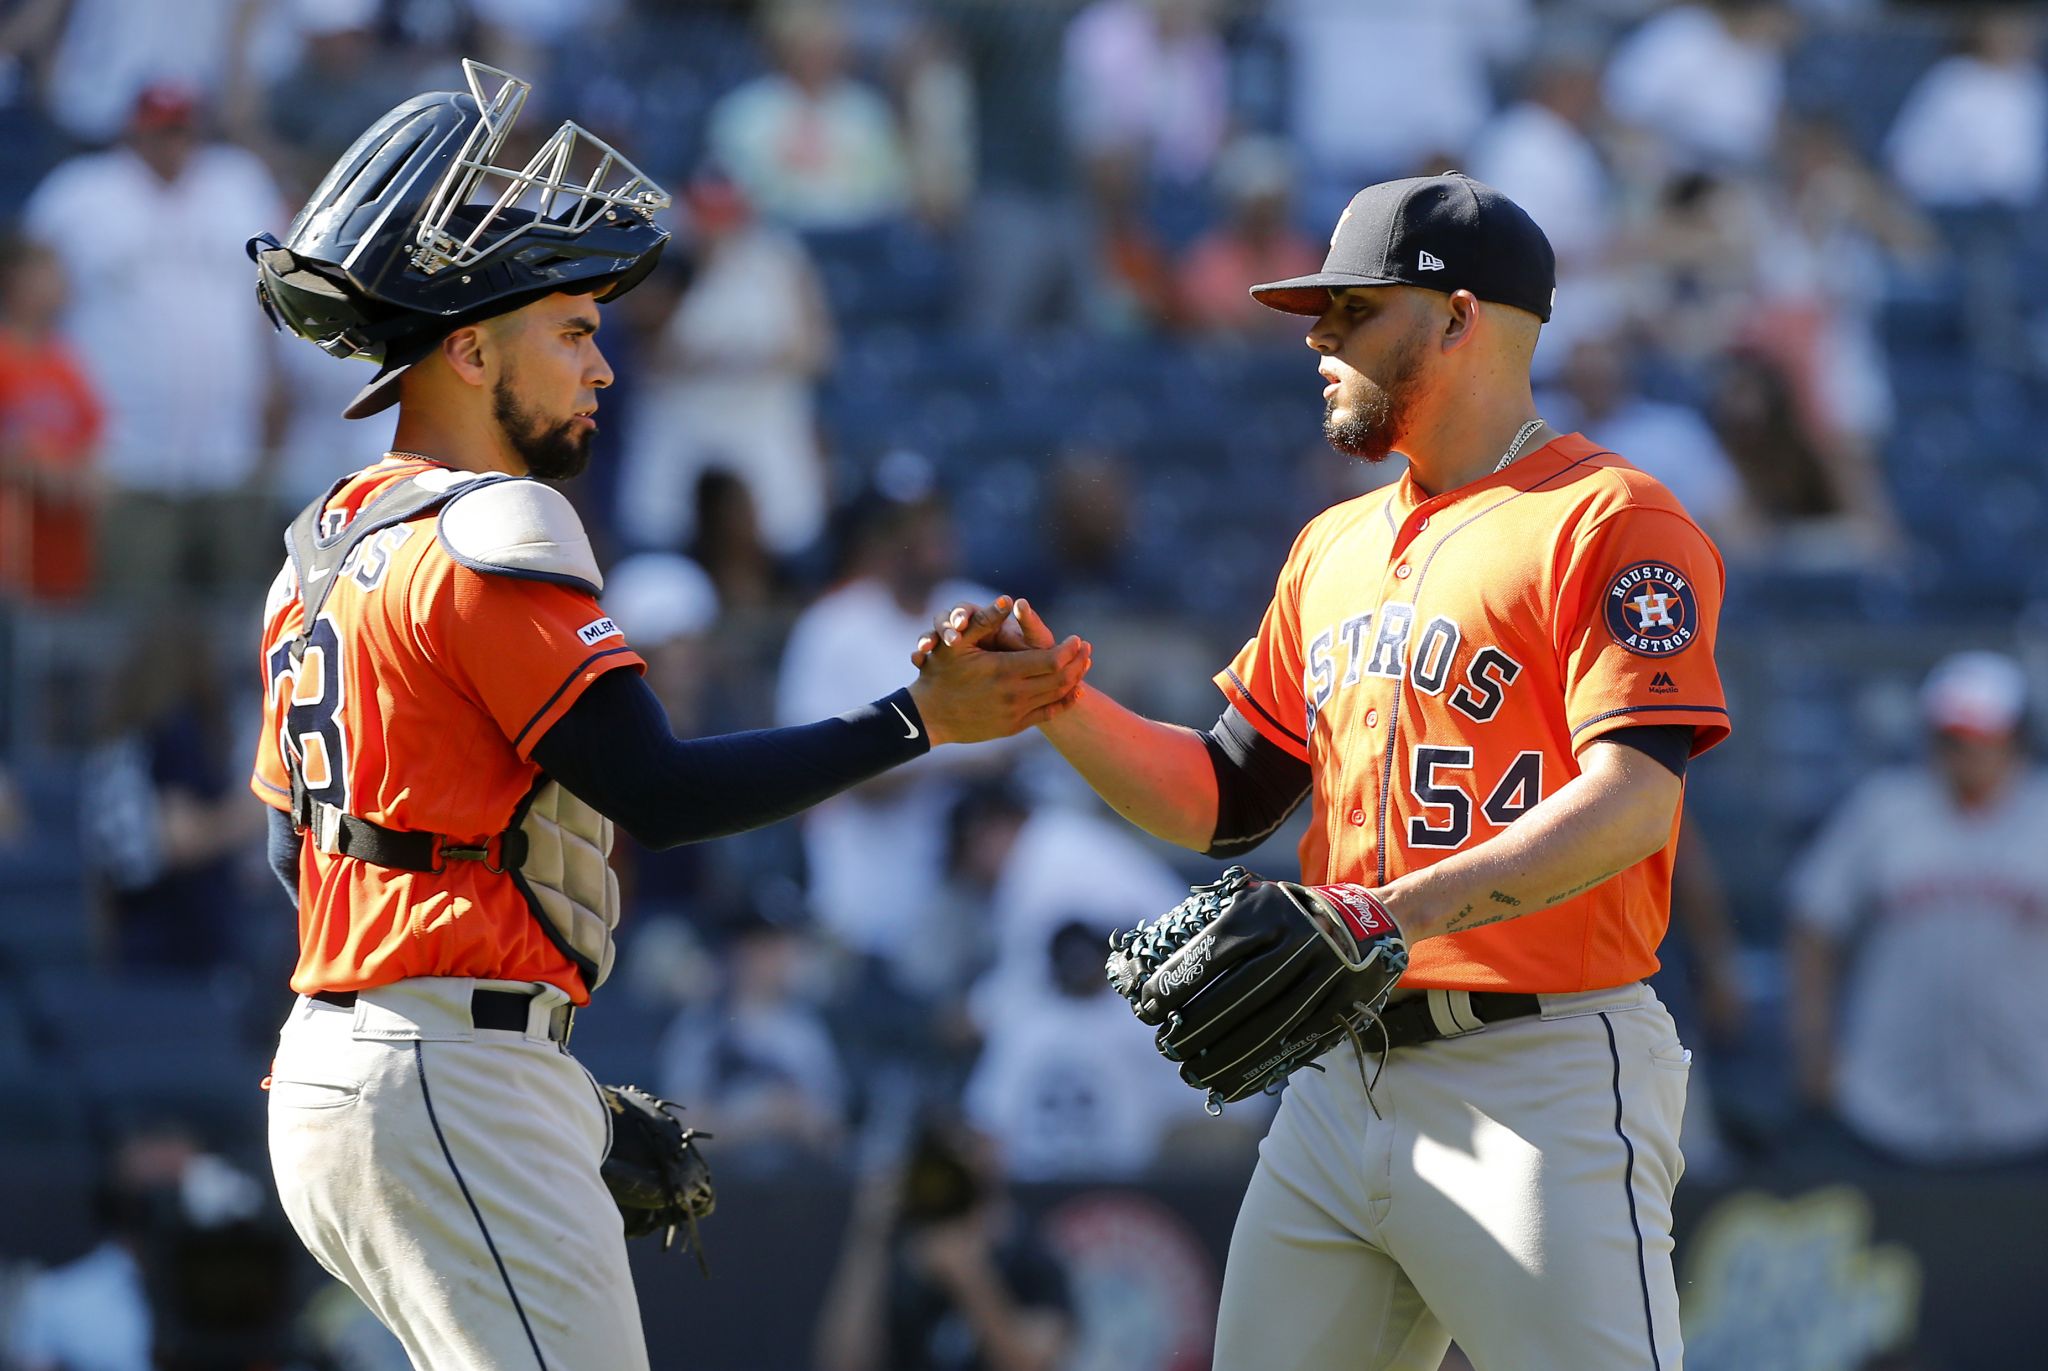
[423,694]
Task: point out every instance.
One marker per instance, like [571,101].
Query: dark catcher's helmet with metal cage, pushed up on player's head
[396,247]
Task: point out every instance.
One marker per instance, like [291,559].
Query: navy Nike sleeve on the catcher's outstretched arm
[615,753]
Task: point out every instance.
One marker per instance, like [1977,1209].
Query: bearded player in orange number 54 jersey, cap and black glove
[1488,681]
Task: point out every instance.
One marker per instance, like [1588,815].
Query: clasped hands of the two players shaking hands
[992,671]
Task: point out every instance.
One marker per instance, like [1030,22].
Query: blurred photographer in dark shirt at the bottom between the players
[941,1274]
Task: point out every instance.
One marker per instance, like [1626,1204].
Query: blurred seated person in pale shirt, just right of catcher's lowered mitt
[759,1065]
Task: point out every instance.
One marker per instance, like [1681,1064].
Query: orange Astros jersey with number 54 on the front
[1441,663]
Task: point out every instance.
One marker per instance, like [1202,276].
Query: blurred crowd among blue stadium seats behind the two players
[957,304]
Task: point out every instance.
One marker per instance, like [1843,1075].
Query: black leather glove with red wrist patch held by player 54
[1250,979]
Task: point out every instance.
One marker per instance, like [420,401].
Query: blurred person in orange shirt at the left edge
[50,433]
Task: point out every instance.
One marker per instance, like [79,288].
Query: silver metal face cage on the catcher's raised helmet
[564,198]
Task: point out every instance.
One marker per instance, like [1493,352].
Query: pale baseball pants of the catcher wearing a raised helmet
[450,1175]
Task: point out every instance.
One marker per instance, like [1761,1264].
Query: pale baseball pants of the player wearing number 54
[1512,1192]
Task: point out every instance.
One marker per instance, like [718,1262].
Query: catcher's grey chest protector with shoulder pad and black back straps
[556,847]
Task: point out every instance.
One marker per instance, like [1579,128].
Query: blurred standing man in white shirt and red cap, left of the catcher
[151,237]
